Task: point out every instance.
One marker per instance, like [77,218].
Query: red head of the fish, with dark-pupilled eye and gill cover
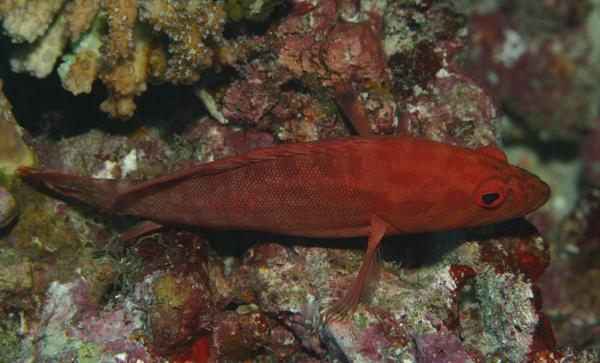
[456,187]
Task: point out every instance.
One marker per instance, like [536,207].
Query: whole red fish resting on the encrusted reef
[373,186]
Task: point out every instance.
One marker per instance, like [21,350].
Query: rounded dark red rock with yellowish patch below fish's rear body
[172,287]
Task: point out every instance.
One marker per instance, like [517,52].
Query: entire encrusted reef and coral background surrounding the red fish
[192,81]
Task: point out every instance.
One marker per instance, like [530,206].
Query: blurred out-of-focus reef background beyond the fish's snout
[541,60]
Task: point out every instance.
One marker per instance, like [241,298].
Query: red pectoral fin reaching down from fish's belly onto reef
[367,276]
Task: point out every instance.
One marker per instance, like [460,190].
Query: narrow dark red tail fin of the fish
[99,193]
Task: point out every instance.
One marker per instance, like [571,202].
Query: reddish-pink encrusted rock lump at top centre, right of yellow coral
[312,41]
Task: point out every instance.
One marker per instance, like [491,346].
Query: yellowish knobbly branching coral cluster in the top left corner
[124,43]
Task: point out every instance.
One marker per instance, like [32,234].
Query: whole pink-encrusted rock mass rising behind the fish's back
[311,54]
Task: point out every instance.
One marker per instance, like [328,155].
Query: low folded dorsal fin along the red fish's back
[249,157]
